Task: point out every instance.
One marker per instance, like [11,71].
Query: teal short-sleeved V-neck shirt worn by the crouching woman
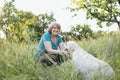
[47,37]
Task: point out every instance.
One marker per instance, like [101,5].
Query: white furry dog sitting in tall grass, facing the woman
[89,66]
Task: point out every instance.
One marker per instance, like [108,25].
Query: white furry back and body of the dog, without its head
[90,66]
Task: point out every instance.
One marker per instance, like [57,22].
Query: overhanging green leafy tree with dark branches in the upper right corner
[103,10]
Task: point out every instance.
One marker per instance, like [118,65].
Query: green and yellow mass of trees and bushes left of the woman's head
[23,26]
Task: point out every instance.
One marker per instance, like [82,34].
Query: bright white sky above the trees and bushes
[61,14]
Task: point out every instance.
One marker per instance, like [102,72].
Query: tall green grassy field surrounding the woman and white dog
[17,60]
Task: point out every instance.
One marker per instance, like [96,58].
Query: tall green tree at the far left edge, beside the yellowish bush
[8,17]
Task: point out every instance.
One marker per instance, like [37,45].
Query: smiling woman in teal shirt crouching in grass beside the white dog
[47,51]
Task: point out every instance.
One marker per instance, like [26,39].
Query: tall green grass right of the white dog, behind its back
[105,48]
